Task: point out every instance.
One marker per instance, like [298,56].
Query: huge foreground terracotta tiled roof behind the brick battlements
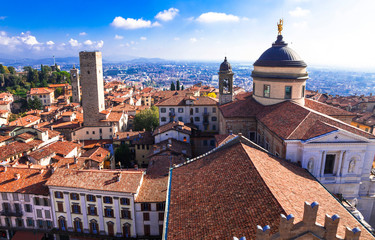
[250,188]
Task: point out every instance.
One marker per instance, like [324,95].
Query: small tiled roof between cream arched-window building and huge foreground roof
[153,189]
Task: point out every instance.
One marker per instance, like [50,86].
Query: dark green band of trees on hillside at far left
[20,83]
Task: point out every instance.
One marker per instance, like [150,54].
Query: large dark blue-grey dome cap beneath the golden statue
[279,55]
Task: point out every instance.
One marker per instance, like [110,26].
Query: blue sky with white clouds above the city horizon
[334,33]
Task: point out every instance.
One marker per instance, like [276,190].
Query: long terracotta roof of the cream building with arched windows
[102,180]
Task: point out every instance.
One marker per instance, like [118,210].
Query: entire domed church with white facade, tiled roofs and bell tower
[278,117]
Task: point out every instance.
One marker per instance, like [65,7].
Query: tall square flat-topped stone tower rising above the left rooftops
[92,88]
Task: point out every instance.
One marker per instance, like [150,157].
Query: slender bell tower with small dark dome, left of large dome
[225,83]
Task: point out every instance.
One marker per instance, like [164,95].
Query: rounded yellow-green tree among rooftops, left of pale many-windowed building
[147,119]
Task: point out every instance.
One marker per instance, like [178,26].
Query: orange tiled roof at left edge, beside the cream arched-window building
[31,181]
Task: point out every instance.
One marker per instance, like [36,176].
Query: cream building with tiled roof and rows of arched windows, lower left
[94,202]
